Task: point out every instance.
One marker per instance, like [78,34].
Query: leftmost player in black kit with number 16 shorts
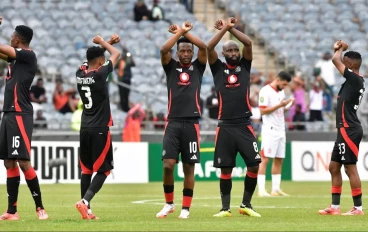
[17,122]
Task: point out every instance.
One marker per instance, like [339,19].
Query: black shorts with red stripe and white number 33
[346,147]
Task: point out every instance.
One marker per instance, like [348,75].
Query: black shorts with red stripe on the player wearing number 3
[95,151]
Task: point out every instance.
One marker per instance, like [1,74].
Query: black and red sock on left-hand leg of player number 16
[12,186]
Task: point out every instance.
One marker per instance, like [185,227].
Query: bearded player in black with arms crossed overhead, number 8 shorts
[234,132]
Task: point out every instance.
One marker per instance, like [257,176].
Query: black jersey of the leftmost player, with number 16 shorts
[21,71]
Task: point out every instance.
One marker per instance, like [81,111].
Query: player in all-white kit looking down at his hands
[272,106]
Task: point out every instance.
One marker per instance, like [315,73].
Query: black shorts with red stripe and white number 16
[16,136]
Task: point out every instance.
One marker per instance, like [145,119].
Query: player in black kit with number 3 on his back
[96,154]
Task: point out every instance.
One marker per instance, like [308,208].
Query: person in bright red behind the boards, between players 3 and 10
[132,127]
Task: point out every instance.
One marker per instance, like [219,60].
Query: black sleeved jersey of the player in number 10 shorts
[184,88]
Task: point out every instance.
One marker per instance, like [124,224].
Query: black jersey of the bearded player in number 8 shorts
[232,85]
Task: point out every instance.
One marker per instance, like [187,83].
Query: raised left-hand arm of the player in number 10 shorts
[165,50]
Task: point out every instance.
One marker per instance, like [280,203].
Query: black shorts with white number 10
[181,136]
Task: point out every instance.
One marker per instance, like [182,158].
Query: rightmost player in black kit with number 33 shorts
[350,132]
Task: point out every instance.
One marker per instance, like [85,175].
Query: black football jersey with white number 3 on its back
[92,89]
